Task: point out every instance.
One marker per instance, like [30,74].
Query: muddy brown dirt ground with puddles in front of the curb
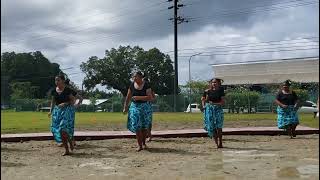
[244,157]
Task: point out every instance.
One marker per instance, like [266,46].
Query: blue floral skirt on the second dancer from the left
[139,116]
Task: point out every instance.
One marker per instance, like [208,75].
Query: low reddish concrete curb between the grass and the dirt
[186,133]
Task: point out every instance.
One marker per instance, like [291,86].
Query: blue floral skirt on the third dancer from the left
[213,118]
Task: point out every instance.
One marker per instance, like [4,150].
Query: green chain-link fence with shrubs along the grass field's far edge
[246,102]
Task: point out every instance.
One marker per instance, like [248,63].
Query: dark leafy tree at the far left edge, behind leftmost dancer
[30,67]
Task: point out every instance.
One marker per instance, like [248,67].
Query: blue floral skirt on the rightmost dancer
[287,116]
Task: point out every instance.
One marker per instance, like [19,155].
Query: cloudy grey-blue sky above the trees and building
[69,32]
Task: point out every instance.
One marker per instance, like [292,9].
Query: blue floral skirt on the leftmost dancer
[62,120]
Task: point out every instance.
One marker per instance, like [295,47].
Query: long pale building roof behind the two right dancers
[268,71]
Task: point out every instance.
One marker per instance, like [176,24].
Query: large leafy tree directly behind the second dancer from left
[116,68]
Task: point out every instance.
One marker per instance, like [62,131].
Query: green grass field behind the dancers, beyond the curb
[22,122]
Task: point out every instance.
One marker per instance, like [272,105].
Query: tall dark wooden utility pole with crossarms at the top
[175,19]
